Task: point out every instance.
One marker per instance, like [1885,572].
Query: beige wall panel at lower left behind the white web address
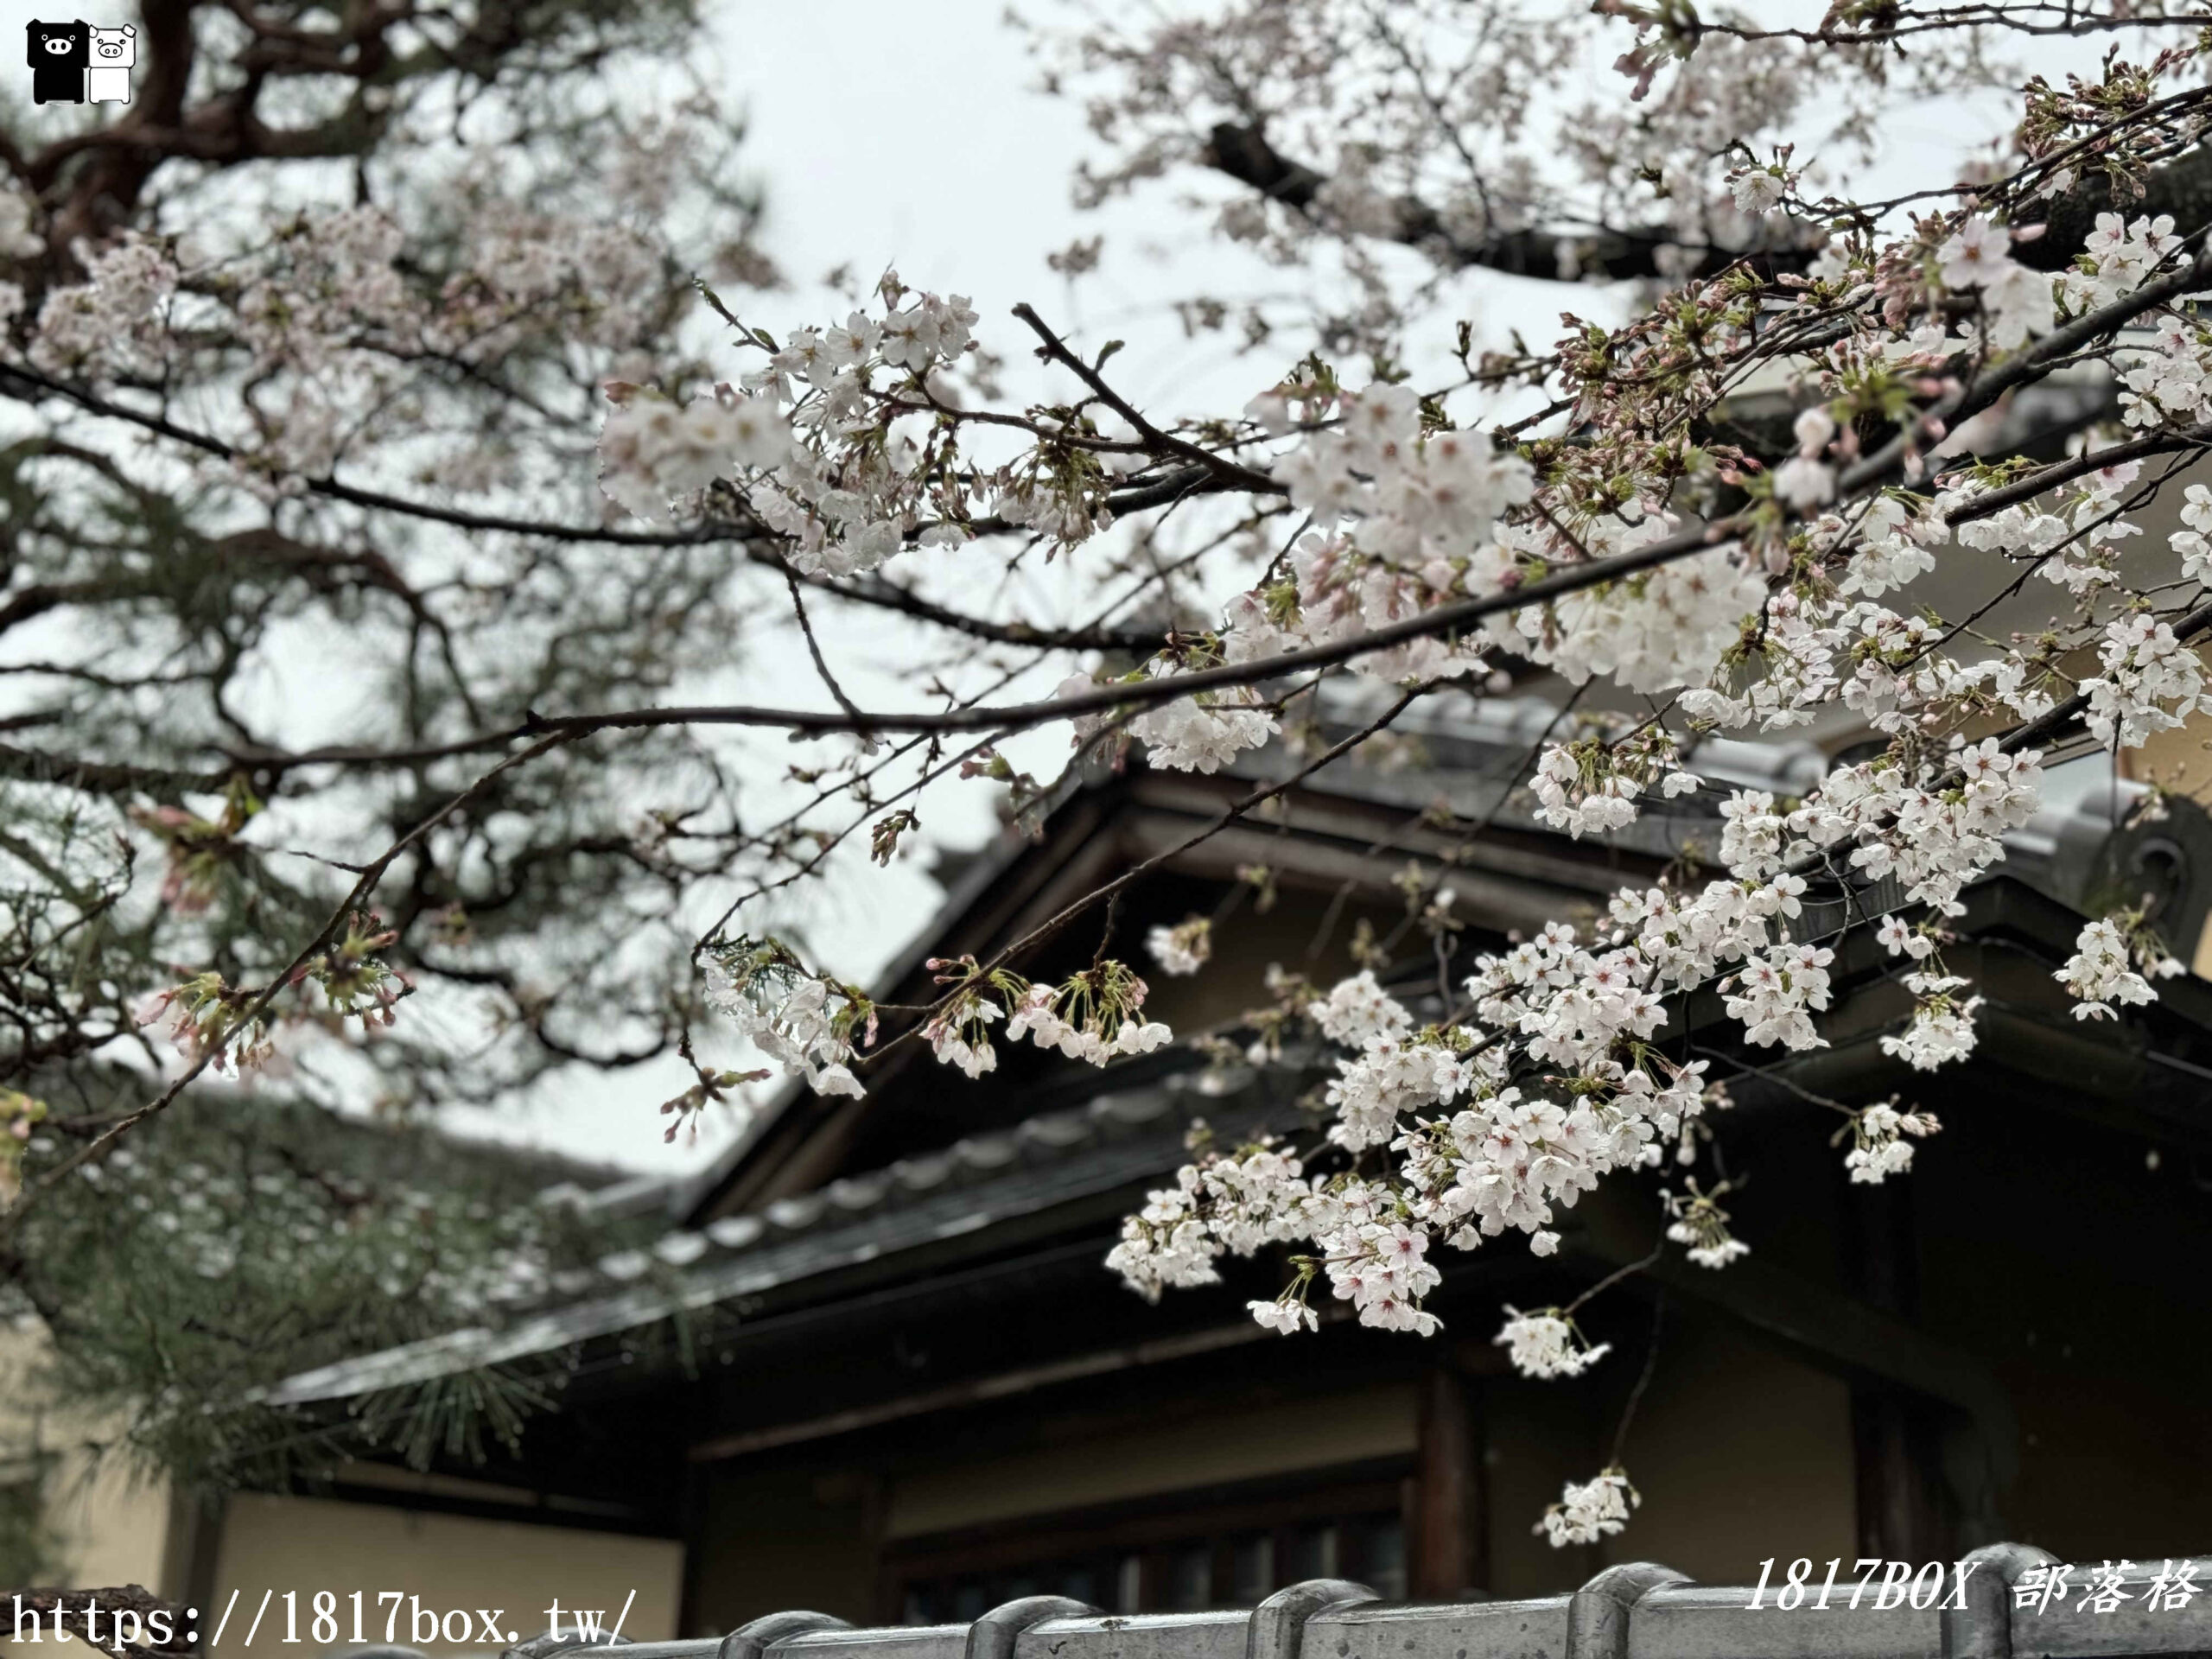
[450,1563]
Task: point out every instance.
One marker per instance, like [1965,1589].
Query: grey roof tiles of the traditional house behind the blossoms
[1477,753]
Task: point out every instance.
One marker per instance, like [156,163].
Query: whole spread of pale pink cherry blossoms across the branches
[1404,508]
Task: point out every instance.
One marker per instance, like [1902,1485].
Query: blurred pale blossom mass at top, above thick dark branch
[1507,140]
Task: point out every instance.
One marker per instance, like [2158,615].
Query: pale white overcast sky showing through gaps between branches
[899,134]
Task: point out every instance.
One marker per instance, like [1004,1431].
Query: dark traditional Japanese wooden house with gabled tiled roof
[875,1366]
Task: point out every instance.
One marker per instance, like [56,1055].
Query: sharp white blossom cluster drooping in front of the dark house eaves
[1468,1149]
